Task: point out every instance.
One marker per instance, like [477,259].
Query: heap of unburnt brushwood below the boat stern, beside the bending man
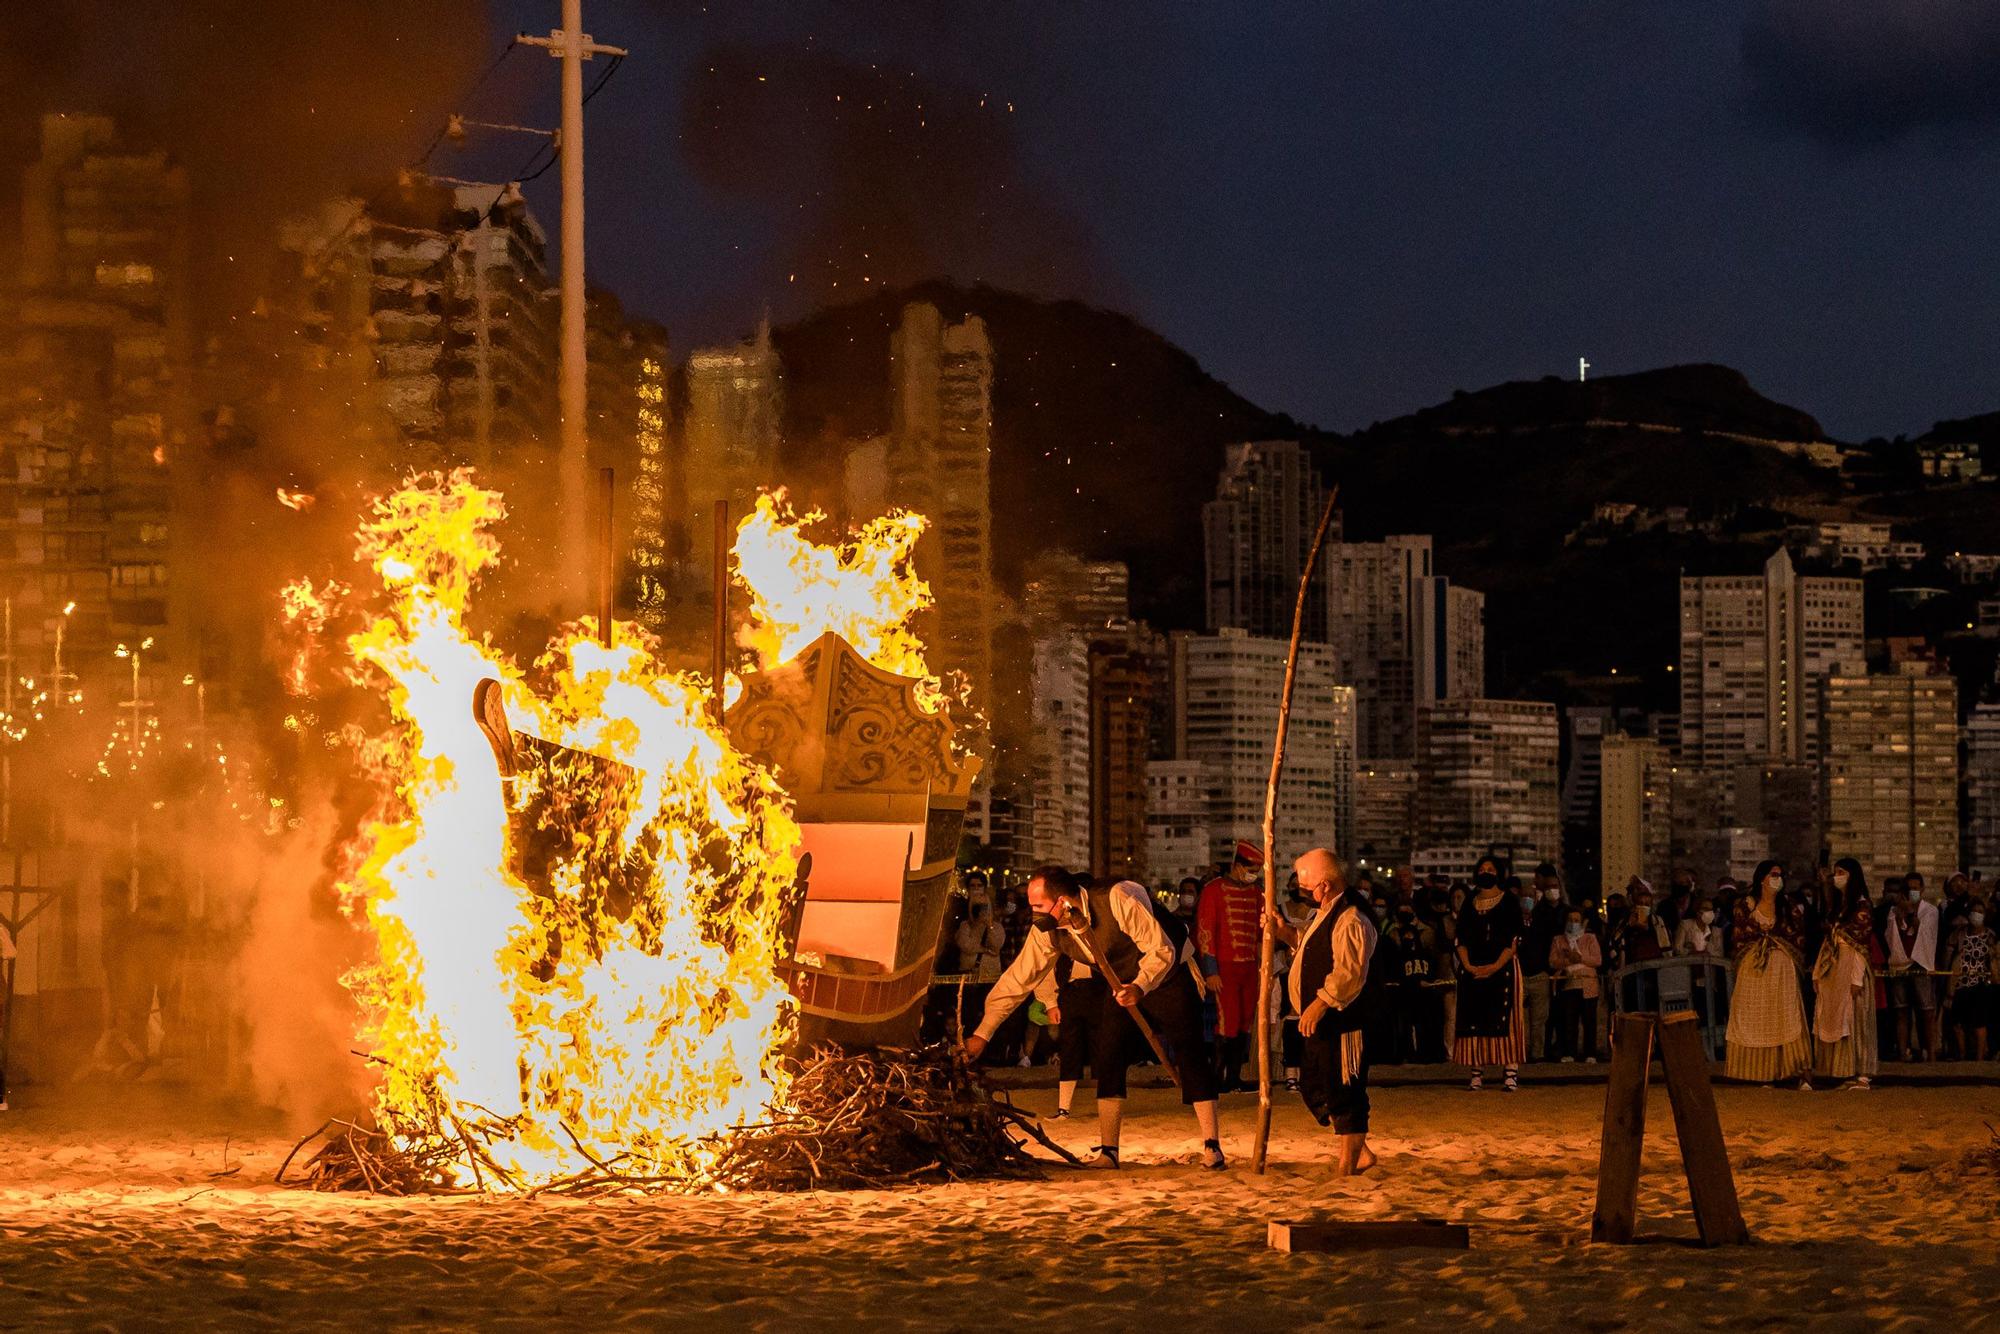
[859,1121]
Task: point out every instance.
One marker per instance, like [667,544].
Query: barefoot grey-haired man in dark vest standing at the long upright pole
[1329,987]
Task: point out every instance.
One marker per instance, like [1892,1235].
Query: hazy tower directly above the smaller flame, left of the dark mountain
[729,437]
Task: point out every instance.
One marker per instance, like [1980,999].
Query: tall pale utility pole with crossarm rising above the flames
[573,469]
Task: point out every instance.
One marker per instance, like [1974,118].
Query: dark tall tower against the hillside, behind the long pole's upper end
[1257,535]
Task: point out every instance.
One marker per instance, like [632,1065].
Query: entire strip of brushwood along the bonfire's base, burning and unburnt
[851,1121]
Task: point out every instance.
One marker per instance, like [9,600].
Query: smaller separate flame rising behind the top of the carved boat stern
[863,589]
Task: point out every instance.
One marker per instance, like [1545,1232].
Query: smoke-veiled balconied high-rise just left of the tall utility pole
[427,309]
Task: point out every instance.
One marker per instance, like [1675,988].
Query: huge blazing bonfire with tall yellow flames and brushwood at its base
[619,1017]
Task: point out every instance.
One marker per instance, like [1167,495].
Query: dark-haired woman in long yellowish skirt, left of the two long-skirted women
[1767,1035]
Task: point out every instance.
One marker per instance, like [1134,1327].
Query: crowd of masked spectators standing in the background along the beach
[1933,957]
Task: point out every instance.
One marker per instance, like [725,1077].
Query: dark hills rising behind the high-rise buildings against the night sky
[1109,439]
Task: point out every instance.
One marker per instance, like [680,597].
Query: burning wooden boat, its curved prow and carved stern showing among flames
[881,801]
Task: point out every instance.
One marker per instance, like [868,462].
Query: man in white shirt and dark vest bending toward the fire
[1149,995]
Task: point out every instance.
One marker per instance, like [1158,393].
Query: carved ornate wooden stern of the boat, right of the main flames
[881,797]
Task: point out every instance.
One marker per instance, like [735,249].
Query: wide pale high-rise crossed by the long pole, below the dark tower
[1227,711]
